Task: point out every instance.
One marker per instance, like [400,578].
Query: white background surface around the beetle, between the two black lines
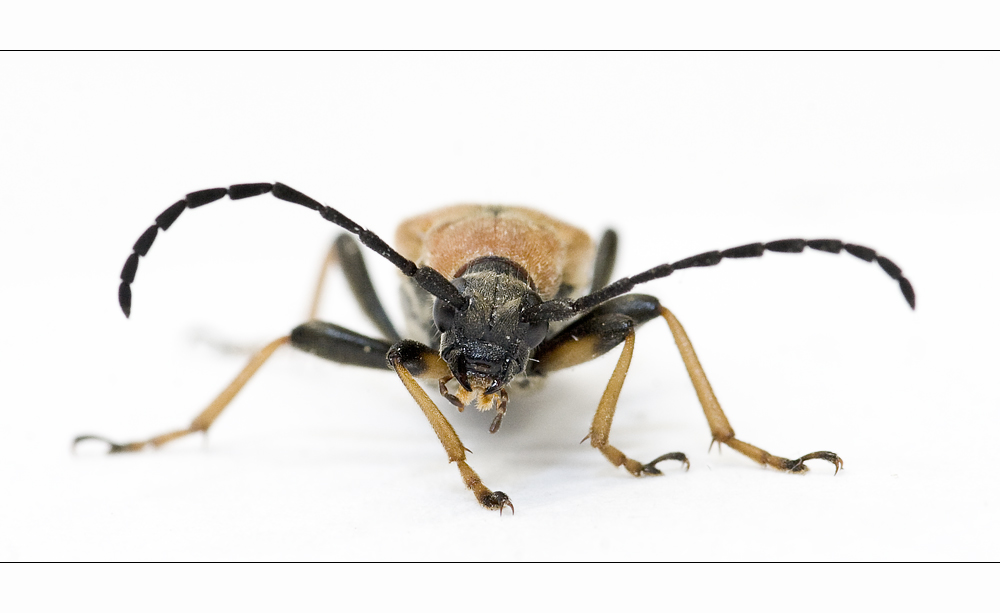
[682,154]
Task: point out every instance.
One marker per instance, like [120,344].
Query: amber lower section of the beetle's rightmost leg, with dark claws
[722,432]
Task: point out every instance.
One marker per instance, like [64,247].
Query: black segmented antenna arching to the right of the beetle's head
[556,310]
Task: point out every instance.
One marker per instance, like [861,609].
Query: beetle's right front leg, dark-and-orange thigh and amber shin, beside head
[596,333]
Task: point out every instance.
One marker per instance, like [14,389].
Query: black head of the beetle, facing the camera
[487,343]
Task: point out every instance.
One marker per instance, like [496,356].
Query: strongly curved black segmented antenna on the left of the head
[427,278]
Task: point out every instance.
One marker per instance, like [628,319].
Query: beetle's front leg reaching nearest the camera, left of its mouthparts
[412,359]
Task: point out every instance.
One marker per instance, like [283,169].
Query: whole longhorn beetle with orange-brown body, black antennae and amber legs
[495,297]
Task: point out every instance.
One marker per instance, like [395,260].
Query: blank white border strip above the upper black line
[516,24]
